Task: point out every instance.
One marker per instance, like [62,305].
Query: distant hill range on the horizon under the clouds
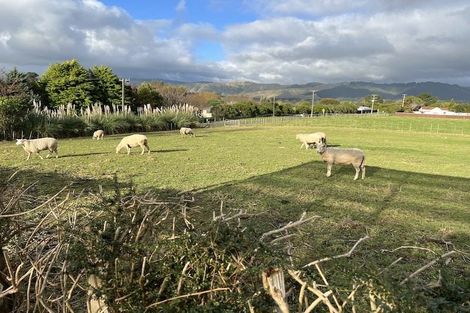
[344,90]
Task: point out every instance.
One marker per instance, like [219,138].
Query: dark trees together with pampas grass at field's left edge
[53,104]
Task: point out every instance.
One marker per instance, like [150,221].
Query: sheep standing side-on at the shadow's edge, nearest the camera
[352,156]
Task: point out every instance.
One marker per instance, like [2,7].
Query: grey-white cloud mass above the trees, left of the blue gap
[36,33]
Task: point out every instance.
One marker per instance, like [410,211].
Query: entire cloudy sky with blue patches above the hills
[265,41]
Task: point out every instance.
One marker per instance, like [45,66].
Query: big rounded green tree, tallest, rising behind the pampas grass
[68,82]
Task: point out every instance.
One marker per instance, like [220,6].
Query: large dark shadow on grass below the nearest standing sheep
[394,207]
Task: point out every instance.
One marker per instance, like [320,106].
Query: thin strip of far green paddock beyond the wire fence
[358,121]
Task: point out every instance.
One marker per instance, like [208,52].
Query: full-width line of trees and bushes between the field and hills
[69,83]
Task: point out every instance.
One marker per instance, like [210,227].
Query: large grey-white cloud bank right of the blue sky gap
[419,44]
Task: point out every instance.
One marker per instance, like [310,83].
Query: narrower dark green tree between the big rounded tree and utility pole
[107,87]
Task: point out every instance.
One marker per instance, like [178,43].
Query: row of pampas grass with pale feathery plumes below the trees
[67,121]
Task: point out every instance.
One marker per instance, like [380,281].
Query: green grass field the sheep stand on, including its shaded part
[416,191]
